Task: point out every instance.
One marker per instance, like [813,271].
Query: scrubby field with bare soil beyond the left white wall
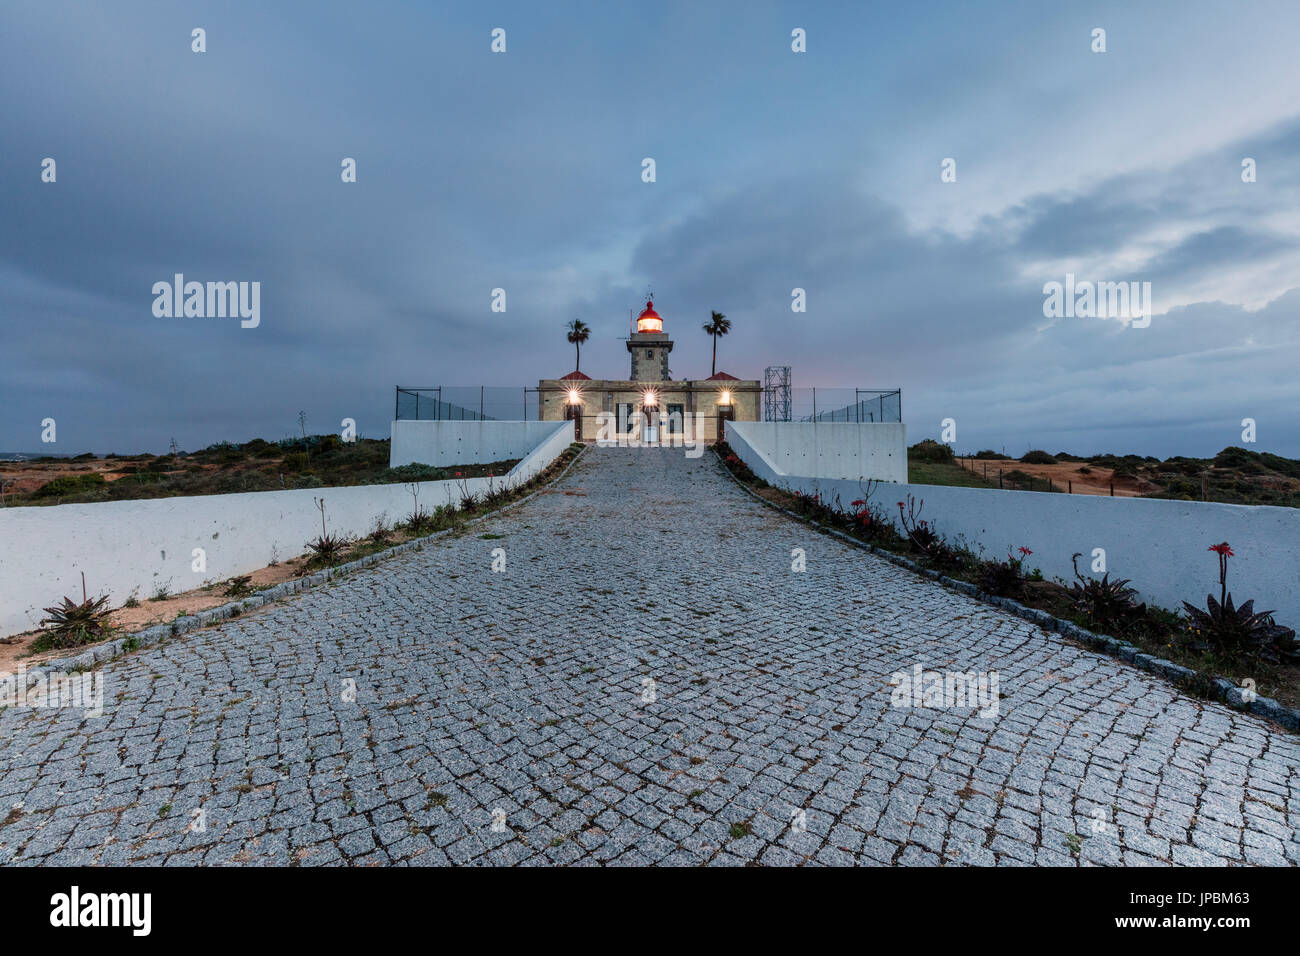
[322,461]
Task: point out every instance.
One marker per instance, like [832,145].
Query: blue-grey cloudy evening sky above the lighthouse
[774,171]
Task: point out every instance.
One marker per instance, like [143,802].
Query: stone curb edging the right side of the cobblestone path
[1224,690]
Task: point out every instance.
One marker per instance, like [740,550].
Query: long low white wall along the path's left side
[131,547]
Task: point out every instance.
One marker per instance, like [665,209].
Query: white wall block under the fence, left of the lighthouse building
[463,443]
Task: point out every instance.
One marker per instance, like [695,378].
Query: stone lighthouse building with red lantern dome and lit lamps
[649,400]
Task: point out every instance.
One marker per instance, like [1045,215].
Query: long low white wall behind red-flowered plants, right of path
[1162,546]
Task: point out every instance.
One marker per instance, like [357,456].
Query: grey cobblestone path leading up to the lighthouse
[647,682]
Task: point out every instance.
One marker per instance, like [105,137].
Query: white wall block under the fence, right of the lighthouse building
[830,449]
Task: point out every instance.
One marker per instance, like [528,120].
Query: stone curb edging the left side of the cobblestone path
[193,622]
